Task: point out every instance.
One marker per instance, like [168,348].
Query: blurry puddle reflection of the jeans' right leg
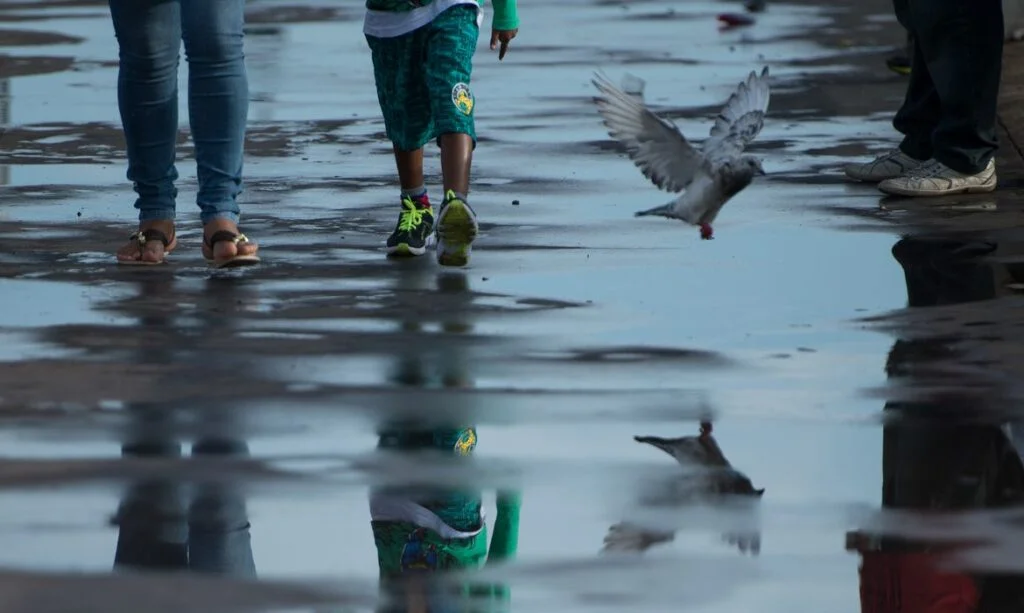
[219,526]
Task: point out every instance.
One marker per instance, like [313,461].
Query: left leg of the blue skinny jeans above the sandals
[149,34]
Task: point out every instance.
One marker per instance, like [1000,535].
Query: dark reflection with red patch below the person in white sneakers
[948,457]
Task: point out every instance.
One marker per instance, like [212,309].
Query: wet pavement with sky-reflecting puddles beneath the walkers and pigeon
[859,358]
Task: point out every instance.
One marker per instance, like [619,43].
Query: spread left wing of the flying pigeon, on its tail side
[657,147]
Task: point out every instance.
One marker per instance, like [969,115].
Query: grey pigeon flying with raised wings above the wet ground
[708,179]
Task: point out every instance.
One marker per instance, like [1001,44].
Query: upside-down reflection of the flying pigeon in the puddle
[716,483]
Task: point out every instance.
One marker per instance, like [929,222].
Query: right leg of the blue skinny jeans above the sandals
[219,102]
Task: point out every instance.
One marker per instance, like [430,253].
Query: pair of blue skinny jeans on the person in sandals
[150,34]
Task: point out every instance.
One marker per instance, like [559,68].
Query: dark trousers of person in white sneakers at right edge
[950,110]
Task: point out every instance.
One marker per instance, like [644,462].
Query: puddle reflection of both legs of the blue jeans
[158,533]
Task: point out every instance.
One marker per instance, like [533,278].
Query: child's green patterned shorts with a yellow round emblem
[423,79]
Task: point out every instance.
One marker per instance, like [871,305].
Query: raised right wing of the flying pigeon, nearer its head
[741,120]
